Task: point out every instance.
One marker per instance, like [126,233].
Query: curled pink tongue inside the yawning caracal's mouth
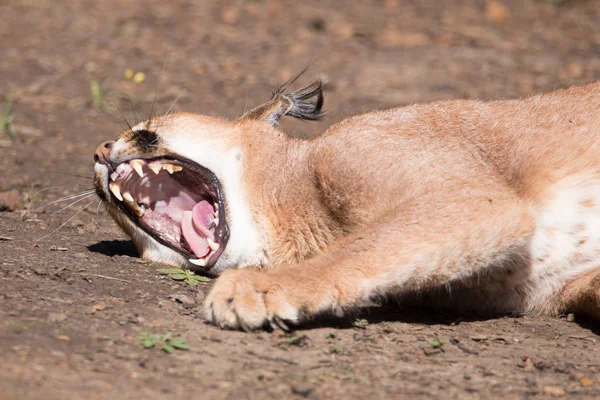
[194,226]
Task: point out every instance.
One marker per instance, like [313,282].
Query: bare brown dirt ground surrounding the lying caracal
[74,300]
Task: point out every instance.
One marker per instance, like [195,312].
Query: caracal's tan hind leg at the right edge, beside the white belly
[582,295]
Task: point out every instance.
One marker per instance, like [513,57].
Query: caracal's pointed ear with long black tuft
[305,104]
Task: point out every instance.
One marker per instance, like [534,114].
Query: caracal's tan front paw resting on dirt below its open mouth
[250,299]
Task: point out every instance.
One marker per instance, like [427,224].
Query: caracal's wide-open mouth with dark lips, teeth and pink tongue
[176,201]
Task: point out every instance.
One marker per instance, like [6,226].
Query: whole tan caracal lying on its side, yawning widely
[480,206]
